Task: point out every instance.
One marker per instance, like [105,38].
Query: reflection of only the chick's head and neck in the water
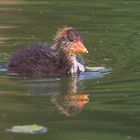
[70,102]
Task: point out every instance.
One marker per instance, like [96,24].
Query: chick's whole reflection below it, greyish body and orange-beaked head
[65,94]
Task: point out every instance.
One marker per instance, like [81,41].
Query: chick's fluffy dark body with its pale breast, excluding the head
[41,60]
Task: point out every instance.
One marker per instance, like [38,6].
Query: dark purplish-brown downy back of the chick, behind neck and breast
[39,60]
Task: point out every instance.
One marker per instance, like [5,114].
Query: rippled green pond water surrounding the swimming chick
[111,33]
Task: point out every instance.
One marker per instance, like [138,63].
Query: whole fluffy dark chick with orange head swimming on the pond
[56,60]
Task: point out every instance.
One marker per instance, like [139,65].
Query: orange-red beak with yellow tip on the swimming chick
[80,48]
